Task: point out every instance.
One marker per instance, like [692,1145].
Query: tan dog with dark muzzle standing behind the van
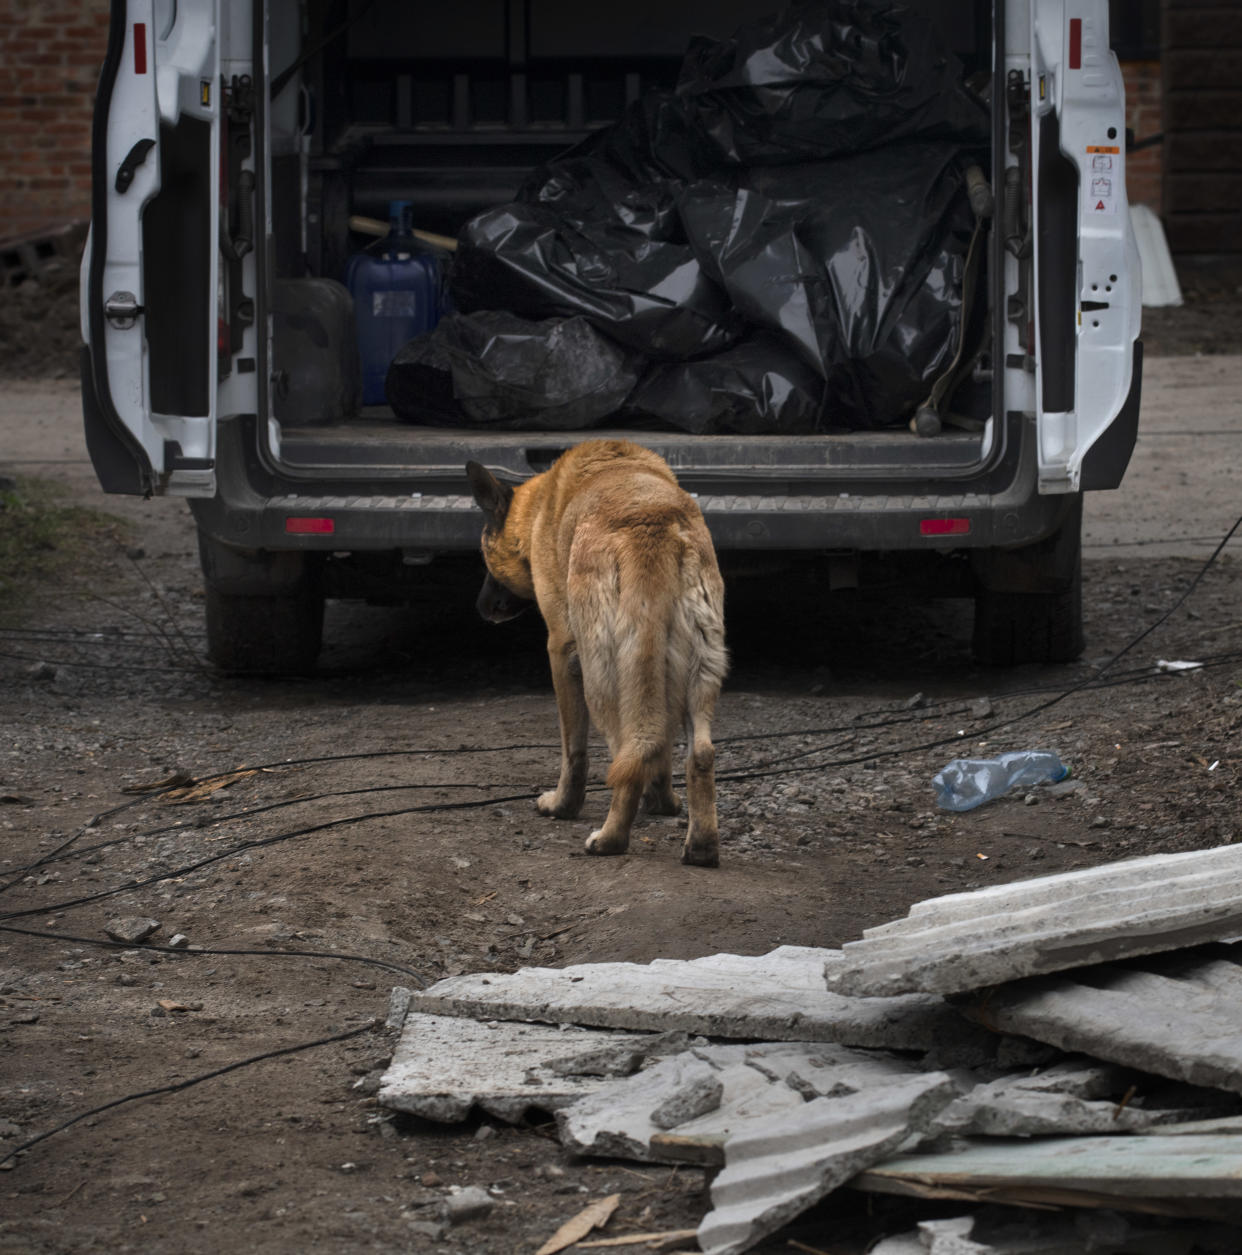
[622,565]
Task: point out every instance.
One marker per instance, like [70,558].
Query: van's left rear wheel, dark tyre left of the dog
[267,634]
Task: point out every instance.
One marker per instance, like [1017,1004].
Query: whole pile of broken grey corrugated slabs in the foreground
[780,1074]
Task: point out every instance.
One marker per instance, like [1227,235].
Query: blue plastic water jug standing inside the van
[397,288]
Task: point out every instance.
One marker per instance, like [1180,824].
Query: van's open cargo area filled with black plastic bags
[800,329]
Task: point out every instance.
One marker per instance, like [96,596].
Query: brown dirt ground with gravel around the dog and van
[383,810]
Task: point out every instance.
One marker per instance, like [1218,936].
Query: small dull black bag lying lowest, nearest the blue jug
[496,370]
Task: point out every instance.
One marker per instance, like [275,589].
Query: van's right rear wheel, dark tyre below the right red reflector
[1044,624]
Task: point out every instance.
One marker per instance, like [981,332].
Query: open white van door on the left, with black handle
[167,282]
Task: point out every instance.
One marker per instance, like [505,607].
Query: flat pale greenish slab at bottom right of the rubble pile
[1196,1175]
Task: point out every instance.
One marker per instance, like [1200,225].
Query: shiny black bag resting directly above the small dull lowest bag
[647,293]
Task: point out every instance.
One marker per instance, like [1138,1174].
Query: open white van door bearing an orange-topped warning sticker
[1088,291]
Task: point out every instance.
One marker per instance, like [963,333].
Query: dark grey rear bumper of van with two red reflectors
[753,506]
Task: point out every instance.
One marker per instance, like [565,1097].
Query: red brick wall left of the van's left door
[51,52]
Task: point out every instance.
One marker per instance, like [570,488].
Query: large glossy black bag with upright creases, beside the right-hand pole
[856,265]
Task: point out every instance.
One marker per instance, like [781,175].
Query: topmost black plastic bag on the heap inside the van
[821,81]
